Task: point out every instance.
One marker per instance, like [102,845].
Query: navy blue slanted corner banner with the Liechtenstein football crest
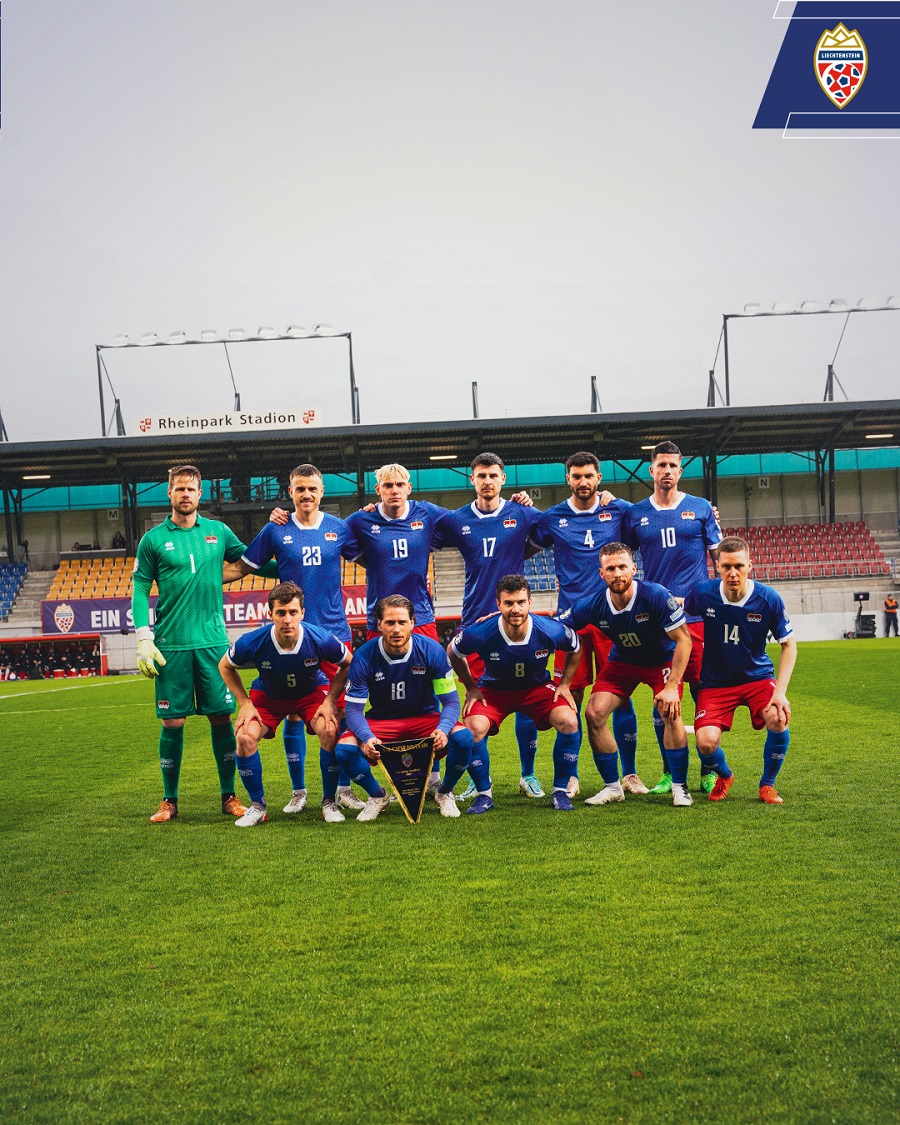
[839,69]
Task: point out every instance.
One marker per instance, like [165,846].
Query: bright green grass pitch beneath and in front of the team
[730,962]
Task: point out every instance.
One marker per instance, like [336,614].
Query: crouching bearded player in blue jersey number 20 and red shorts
[651,645]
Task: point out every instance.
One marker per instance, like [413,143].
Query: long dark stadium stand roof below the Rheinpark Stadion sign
[722,431]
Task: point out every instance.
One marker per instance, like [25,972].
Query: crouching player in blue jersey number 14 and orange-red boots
[739,616]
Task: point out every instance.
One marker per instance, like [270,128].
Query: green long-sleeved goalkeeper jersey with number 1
[186,564]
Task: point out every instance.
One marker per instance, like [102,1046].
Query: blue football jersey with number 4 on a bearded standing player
[577,538]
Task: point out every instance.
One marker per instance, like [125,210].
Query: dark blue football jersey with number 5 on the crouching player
[287,674]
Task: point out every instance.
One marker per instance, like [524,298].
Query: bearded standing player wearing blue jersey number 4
[577,529]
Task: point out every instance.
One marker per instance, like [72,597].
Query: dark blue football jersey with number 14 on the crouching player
[735,633]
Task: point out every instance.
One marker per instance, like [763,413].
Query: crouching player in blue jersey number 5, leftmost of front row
[291,686]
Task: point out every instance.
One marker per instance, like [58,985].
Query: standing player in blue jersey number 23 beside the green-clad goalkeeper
[309,548]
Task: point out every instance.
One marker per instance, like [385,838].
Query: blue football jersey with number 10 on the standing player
[673,542]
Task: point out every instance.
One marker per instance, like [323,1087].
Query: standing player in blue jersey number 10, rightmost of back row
[674,532]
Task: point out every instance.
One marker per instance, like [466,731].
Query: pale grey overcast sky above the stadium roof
[505,191]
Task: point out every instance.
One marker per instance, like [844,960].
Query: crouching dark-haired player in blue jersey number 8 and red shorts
[515,649]
